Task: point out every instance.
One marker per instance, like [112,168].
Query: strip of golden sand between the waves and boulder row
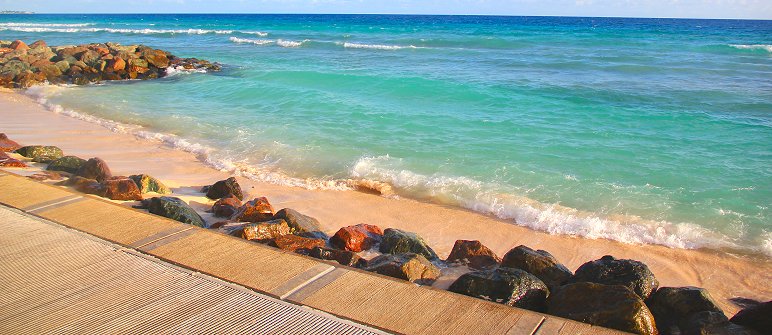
[724,275]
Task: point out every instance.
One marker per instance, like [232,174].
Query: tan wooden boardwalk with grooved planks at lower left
[133,272]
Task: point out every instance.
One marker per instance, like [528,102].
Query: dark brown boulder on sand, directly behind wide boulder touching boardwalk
[539,263]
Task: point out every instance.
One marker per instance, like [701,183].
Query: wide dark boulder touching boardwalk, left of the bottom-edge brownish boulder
[512,287]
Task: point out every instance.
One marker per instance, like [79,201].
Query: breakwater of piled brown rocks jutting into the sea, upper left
[23,65]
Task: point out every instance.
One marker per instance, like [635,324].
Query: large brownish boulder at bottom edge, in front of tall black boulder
[611,306]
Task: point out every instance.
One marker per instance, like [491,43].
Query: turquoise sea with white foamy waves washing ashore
[639,130]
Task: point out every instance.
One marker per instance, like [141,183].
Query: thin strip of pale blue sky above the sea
[741,9]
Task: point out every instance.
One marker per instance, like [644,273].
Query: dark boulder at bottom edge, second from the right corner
[676,308]
